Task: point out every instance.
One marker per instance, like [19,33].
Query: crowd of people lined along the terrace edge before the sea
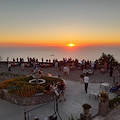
[68,65]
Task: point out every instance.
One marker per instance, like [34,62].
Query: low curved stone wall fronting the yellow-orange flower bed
[23,101]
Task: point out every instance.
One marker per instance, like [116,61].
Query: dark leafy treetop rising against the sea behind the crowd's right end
[107,58]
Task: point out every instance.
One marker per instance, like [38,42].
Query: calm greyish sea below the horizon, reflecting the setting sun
[85,52]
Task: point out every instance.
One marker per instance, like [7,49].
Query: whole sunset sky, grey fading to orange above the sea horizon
[59,22]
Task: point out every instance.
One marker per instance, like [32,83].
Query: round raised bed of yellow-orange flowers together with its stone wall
[20,91]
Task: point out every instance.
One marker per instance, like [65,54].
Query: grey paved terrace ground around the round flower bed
[75,95]
